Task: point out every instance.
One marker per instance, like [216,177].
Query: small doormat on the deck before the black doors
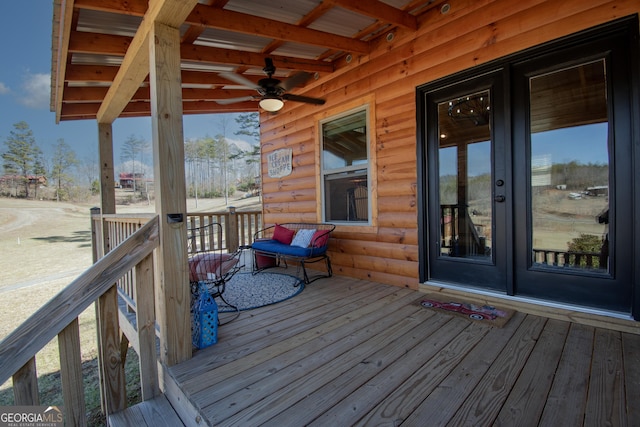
[479,311]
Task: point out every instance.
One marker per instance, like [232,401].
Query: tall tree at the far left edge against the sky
[22,157]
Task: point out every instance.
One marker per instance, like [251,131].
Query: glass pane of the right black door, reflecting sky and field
[569,168]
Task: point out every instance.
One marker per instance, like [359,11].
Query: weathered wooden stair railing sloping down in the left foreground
[59,317]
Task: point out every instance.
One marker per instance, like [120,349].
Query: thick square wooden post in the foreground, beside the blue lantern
[172,280]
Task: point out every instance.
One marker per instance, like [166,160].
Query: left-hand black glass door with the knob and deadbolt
[466,163]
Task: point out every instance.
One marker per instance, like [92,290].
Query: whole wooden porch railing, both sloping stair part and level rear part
[123,248]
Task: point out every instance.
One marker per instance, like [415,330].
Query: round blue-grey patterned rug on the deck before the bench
[248,291]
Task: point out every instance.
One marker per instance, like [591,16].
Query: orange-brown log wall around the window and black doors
[471,33]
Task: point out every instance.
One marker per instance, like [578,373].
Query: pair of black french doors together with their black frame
[528,173]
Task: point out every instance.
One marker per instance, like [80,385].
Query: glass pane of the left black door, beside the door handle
[464,173]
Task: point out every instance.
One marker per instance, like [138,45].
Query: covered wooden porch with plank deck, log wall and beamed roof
[348,350]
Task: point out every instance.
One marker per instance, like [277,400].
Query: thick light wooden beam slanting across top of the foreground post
[135,66]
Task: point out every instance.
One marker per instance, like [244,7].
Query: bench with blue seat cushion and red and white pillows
[300,242]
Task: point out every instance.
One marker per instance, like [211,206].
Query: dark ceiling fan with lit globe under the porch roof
[272,91]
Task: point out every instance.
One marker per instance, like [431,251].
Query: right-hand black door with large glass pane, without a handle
[572,204]
